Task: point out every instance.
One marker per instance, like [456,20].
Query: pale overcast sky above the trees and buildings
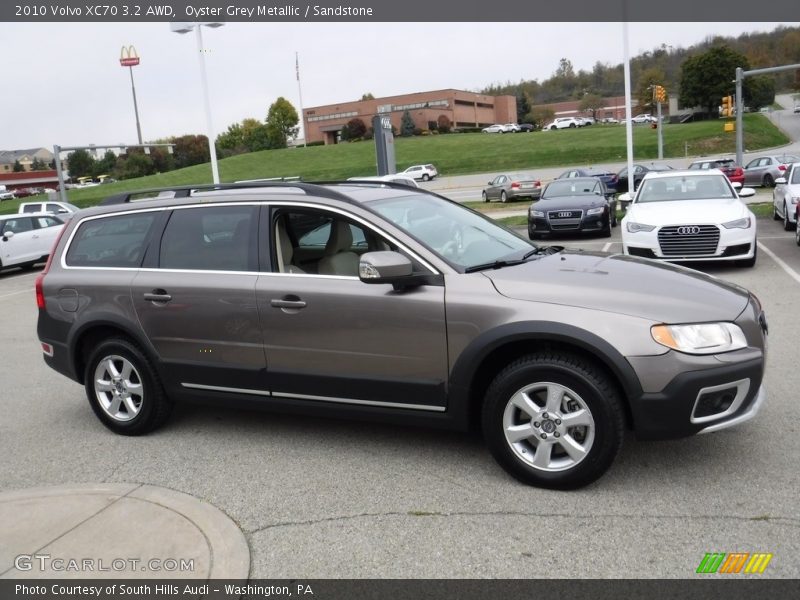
[63,84]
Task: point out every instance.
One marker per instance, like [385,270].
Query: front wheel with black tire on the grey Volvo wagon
[586,387]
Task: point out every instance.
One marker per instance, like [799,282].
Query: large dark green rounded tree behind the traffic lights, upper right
[706,78]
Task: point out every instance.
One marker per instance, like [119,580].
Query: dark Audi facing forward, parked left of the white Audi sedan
[578,205]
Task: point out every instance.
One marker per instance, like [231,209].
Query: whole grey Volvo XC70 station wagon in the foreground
[376,301]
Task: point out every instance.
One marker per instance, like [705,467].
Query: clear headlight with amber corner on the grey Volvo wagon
[702,338]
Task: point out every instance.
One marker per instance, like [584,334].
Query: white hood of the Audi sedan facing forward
[682,212]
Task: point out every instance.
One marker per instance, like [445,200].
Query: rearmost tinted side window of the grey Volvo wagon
[116,241]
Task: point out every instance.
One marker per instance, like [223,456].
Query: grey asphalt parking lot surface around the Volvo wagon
[323,498]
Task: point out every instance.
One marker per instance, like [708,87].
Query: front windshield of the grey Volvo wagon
[462,237]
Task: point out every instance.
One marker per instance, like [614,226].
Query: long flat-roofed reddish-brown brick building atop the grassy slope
[463,109]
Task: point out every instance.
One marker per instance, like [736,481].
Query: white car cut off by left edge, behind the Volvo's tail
[27,239]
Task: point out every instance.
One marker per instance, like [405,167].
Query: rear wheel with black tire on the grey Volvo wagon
[151,403]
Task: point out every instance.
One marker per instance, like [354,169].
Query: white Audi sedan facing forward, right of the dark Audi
[690,216]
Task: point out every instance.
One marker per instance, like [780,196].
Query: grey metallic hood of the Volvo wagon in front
[622,284]
